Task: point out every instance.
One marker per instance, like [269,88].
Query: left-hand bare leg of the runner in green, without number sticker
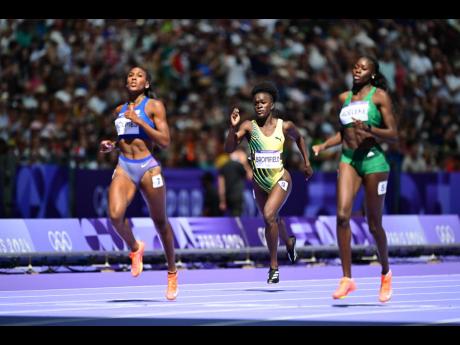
[348,184]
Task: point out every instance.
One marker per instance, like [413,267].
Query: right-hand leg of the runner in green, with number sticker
[375,191]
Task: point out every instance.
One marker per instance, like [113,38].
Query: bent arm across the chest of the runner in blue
[157,112]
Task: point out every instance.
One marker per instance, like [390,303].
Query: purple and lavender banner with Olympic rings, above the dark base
[98,234]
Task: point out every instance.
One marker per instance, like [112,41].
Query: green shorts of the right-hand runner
[366,162]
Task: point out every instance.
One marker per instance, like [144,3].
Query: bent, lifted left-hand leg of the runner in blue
[121,192]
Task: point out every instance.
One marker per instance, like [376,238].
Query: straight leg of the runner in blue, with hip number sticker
[153,190]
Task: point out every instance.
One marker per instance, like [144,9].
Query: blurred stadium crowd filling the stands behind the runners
[61,79]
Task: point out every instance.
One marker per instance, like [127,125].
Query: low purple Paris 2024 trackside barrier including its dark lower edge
[94,240]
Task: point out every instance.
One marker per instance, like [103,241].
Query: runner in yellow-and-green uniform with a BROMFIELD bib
[272,183]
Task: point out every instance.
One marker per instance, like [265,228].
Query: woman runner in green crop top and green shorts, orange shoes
[366,116]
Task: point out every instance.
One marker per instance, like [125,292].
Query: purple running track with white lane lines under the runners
[424,294]
